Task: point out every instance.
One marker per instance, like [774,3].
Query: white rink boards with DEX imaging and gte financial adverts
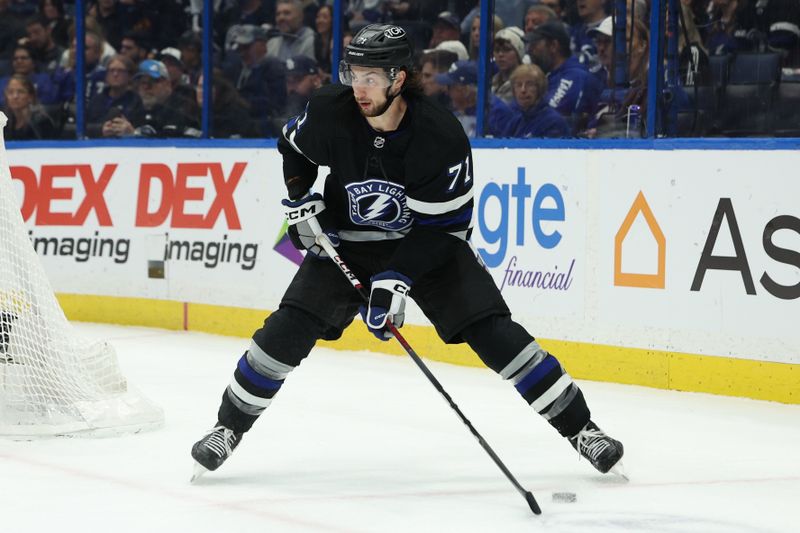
[694,251]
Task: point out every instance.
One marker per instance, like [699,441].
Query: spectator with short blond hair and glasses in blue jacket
[530,115]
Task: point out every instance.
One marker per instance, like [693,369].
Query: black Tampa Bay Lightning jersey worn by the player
[413,185]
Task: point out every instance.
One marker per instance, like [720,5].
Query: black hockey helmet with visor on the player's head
[378,45]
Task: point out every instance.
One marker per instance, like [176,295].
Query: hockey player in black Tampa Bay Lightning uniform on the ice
[398,202]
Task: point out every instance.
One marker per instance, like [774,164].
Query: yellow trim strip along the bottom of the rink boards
[760,380]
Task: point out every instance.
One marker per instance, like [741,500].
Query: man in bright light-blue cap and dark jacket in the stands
[162,115]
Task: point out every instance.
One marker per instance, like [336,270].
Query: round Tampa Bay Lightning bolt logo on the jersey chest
[378,203]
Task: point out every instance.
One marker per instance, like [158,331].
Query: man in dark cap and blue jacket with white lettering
[572,89]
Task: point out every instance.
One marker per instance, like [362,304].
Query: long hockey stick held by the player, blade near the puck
[322,240]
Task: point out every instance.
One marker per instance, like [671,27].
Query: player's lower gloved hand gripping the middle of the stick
[387,300]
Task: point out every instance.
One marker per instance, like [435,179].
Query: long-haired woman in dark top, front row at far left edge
[26,119]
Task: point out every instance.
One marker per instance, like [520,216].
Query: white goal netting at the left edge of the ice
[51,381]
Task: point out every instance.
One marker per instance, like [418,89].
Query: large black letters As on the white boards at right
[739,262]
